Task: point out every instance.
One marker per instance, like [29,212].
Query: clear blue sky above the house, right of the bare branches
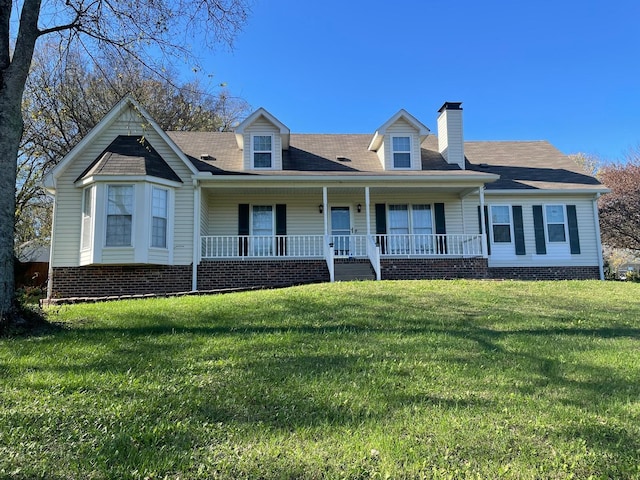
[563,71]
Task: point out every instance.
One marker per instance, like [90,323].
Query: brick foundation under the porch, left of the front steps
[260,273]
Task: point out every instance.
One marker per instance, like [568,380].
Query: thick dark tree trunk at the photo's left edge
[13,76]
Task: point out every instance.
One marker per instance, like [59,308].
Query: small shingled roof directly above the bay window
[130,155]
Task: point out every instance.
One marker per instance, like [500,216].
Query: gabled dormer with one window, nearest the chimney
[397,142]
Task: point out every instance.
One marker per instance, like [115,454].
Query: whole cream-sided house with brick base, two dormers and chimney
[138,210]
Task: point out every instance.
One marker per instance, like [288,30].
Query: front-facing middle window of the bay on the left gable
[119,215]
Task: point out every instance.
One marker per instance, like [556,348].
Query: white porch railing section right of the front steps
[430,245]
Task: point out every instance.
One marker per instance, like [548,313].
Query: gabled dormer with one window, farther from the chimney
[262,138]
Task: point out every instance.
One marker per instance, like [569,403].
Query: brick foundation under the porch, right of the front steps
[433,268]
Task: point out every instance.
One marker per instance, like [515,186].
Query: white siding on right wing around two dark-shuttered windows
[586,226]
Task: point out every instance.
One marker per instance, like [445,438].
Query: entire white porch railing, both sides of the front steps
[356,246]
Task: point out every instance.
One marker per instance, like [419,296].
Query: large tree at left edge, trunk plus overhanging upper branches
[142,29]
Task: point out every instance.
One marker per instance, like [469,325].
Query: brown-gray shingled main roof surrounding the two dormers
[521,165]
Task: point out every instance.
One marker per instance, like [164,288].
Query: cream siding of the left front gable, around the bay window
[69,197]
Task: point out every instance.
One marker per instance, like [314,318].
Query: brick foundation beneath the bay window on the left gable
[116,280]
